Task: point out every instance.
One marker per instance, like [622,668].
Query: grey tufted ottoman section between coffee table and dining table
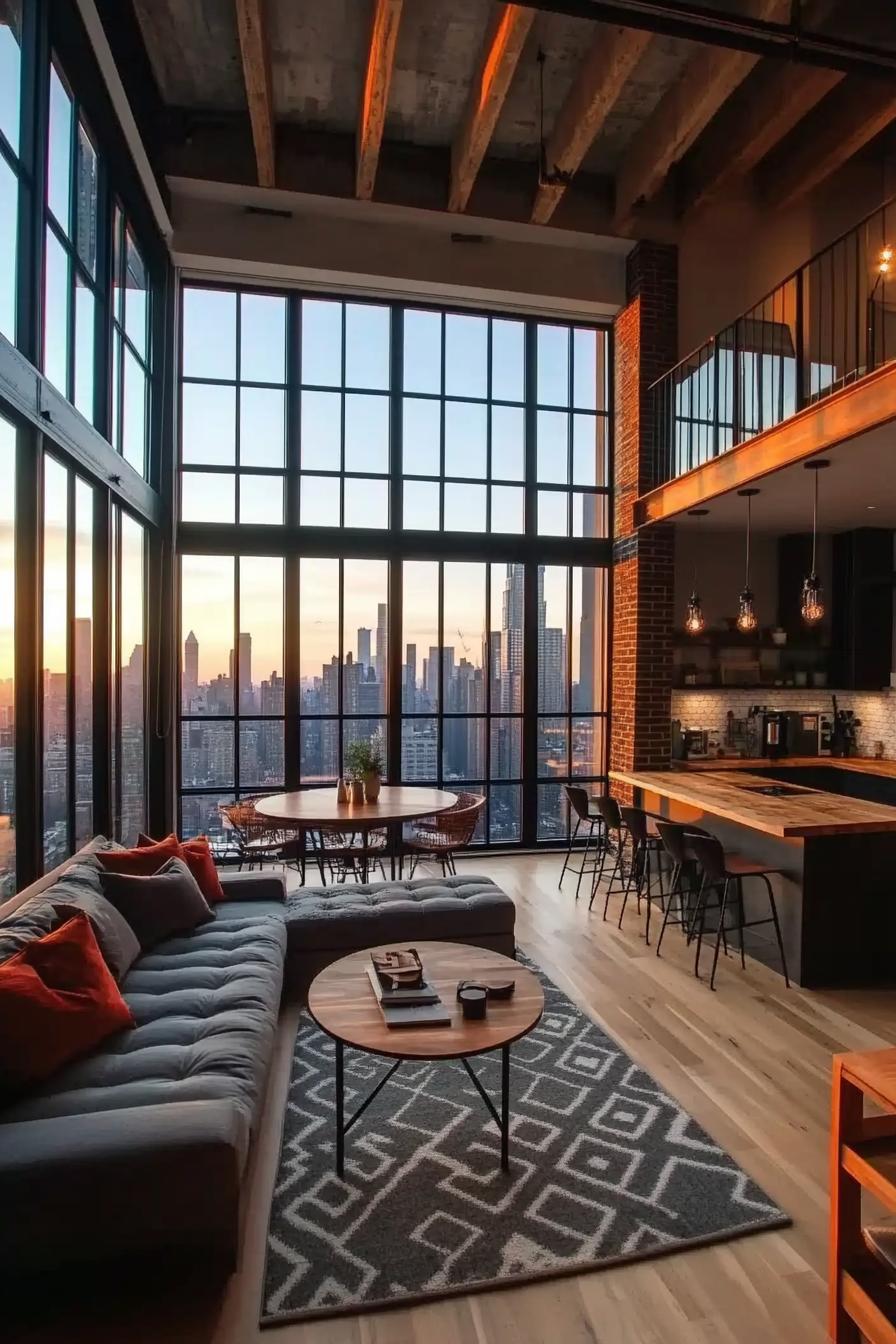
[324,924]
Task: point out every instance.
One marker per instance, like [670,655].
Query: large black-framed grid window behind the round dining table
[408,510]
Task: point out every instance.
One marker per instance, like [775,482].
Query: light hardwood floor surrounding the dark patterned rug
[752,1062]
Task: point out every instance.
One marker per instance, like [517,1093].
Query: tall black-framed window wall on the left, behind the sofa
[81,271]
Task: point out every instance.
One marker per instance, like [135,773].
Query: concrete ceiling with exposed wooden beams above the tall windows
[628,120]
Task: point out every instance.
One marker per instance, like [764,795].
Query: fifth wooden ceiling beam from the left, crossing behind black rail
[683,114]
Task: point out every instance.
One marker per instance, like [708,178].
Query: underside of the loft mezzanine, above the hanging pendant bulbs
[858,490]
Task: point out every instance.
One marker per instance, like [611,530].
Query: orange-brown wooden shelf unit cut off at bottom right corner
[863,1157]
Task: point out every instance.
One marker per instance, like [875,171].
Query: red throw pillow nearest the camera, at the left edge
[58,1001]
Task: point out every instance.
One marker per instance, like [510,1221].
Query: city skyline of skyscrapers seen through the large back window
[460,710]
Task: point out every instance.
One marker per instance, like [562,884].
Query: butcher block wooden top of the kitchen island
[726,794]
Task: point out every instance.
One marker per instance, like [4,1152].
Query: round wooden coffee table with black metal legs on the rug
[343,1005]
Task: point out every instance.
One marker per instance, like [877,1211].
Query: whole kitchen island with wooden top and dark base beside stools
[834,861]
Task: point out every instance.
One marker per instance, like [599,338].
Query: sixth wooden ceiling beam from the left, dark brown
[749,128]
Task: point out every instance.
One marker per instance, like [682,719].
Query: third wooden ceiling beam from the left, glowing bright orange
[502,50]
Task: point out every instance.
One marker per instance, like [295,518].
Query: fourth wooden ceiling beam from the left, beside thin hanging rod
[596,89]
